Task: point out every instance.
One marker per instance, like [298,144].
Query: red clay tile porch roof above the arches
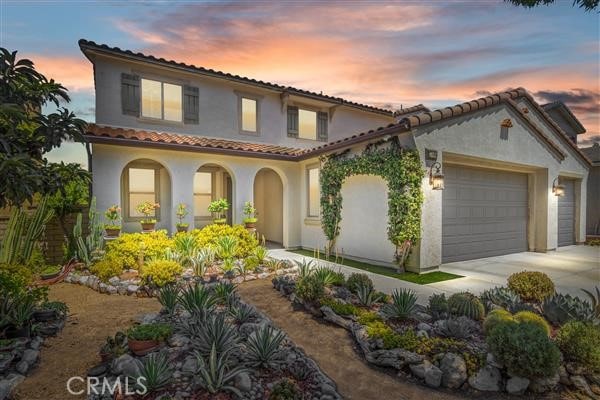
[111,135]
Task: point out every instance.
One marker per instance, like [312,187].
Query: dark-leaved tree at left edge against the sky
[27,135]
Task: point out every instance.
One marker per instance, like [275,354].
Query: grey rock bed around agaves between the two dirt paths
[181,349]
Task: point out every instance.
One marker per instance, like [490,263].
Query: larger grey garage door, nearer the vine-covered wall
[484,213]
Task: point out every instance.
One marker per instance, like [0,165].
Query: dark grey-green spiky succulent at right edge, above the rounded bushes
[561,308]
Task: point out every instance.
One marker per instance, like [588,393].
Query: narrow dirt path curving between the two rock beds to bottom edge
[333,349]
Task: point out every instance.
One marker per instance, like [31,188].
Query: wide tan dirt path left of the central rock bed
[93,316]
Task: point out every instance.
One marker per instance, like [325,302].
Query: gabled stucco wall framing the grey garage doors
[475,140]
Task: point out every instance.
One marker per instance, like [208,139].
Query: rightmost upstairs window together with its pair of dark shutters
[307,124]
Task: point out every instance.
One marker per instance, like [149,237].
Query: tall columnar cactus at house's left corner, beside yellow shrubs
[89,249]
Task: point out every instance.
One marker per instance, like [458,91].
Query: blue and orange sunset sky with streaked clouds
[382,53]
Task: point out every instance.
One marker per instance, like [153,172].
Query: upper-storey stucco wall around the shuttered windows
[219,107]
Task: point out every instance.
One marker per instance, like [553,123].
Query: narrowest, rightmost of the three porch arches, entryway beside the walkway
[268,201]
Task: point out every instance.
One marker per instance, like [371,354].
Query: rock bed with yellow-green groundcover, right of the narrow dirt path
[466,364]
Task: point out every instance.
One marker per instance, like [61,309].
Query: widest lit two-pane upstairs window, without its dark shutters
[161,100]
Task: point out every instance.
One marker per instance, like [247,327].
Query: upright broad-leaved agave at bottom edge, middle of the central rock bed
[215,372]
